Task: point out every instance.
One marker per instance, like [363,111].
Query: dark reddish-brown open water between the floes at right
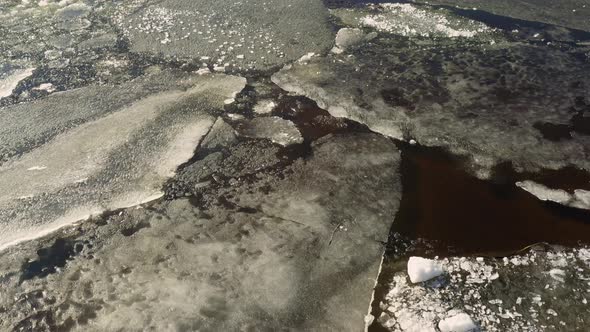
[465,215]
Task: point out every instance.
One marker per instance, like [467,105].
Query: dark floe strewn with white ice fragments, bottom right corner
[476,288]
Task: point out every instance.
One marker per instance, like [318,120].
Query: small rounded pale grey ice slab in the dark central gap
[276,129]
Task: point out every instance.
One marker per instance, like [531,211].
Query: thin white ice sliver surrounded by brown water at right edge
[579,199]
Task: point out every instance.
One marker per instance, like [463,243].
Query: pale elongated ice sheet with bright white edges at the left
[120,159]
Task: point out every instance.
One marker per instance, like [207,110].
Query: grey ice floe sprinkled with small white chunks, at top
[230,35]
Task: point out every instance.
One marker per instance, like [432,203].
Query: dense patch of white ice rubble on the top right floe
[409,20]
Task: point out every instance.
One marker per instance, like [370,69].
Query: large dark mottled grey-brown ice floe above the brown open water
[460,95]
